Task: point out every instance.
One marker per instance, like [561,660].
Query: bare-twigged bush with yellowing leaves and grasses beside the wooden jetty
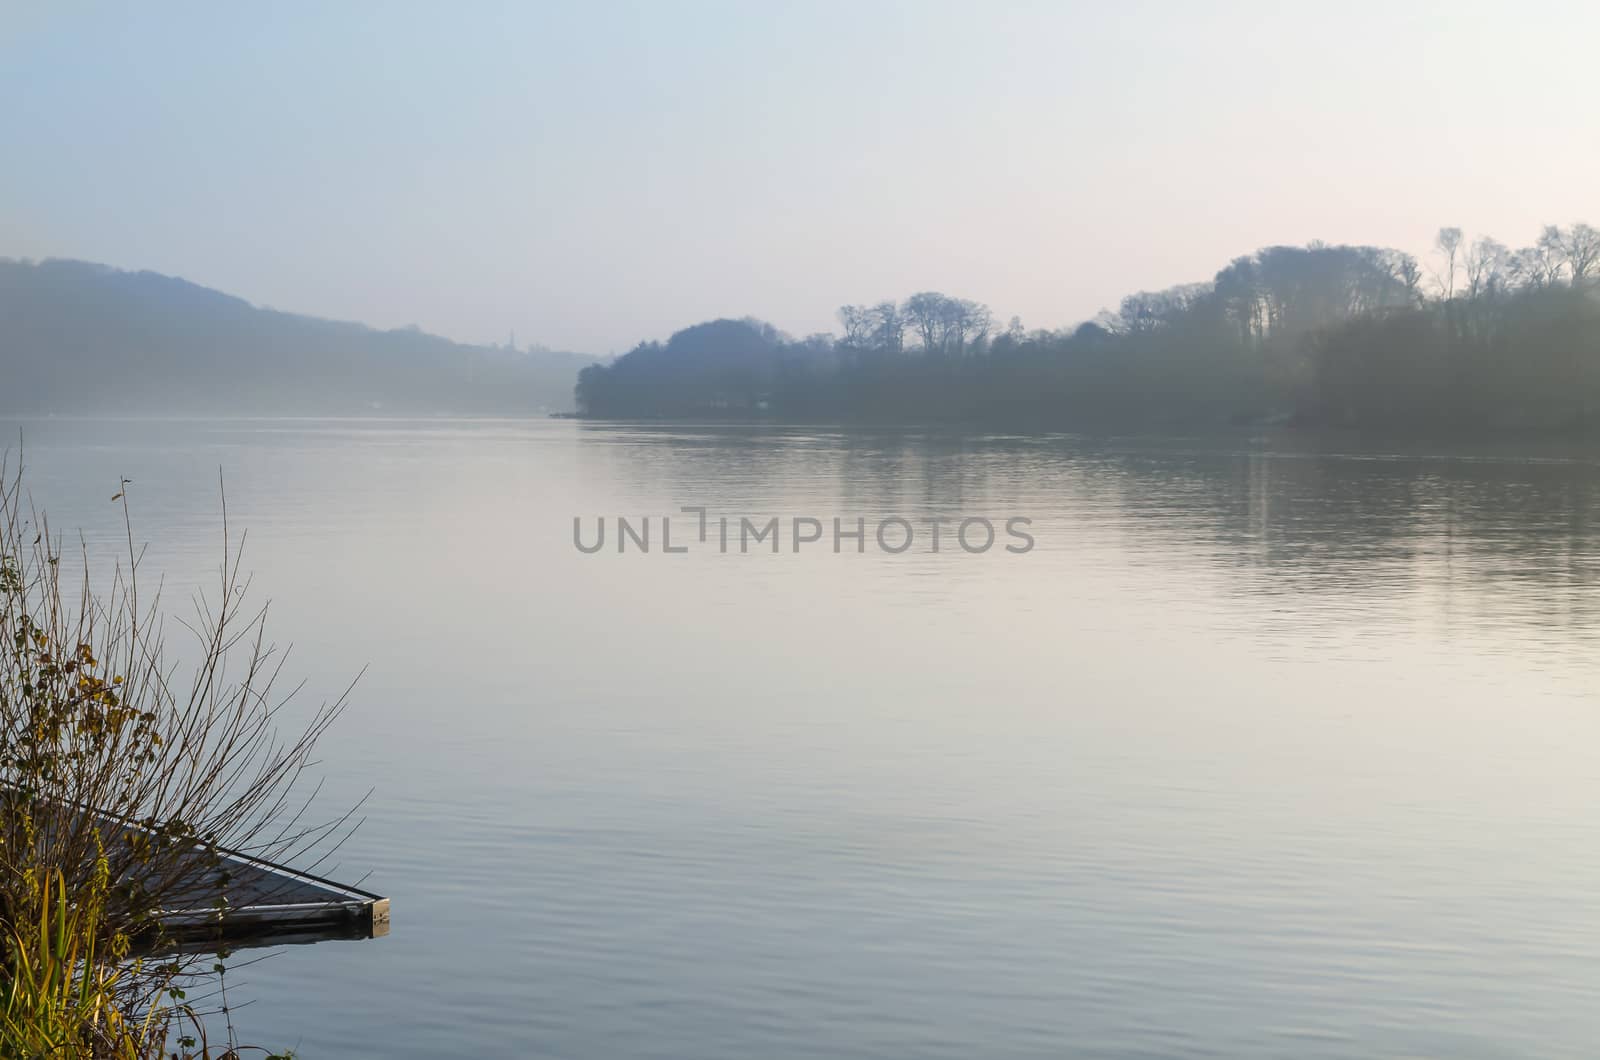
[204,758]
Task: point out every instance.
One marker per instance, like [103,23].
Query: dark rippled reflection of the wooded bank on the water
[1300,520]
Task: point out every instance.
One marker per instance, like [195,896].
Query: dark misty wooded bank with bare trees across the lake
[1479,340]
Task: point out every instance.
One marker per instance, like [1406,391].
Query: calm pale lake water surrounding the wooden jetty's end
[1270,749]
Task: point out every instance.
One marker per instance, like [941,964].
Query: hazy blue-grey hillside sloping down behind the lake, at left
[87,339]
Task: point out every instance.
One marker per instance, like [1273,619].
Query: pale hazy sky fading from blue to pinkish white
[599,174]
